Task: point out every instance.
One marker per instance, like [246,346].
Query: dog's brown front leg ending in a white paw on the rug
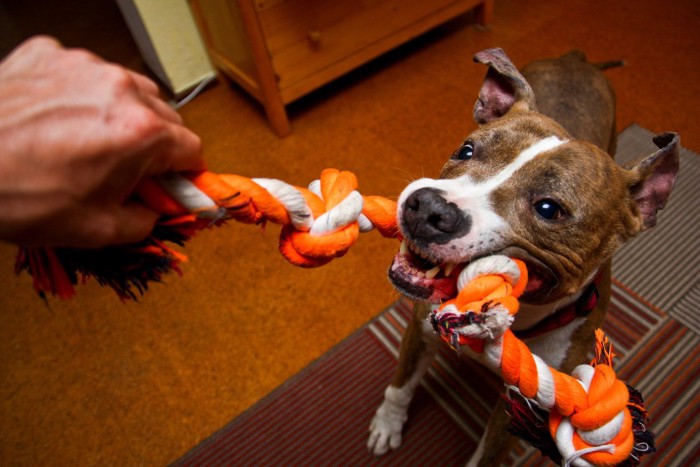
[418,348]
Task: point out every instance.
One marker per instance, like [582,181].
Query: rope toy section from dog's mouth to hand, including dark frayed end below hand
[318,224]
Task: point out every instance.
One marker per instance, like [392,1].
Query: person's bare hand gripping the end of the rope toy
[77,134]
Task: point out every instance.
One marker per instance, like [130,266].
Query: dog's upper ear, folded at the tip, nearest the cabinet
[503,87]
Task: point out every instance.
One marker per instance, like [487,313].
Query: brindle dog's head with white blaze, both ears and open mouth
[520,185]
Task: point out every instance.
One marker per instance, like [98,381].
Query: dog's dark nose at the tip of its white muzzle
[428,217]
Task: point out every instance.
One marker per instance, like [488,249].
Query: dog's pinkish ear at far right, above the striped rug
[654,176]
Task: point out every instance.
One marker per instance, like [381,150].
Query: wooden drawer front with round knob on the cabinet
[305,36]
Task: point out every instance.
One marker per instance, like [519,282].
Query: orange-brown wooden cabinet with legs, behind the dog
[279,50]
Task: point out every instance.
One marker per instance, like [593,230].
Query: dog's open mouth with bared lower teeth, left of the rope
[421,278]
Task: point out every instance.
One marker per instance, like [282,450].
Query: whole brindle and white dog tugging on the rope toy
[536,182]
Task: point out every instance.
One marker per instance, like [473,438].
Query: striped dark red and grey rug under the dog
[320,416]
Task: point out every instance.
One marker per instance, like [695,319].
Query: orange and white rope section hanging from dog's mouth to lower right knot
[590,412]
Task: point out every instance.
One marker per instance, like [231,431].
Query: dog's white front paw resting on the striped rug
[387,424]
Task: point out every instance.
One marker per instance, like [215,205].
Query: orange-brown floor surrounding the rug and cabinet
[98,382]
